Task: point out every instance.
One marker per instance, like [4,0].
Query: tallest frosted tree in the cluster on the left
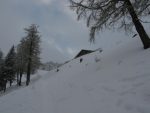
[32,48]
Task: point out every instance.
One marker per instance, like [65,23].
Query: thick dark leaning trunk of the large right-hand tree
[139,27]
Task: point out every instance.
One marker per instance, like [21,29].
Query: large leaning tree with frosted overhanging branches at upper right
[113,13]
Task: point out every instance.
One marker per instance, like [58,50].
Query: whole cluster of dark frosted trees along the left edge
[21,59]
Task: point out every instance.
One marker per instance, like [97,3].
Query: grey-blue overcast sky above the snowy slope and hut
[62,35]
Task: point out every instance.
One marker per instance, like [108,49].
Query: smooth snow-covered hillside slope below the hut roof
[114,81]
